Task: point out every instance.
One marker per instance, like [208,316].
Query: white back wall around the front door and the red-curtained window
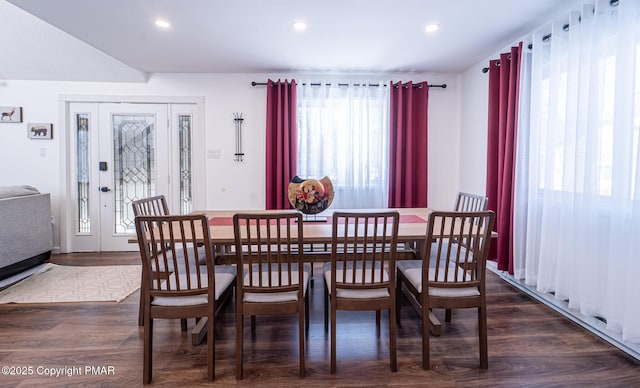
[229,185]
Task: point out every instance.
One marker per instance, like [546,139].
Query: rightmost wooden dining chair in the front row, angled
[451,274]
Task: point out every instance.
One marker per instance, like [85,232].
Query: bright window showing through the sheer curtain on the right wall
[578,128]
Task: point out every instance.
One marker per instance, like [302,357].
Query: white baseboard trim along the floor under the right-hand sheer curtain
[592,324]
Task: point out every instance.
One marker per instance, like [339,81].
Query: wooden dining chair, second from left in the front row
[274,279]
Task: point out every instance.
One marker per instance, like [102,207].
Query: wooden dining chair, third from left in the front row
[361,274]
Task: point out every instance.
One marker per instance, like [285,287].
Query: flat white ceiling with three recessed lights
[256,36]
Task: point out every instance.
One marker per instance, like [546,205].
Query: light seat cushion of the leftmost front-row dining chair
[225,275]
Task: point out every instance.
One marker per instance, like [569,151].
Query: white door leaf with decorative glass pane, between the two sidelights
[135,152]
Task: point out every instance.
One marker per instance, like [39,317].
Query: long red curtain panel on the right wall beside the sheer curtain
[504,81]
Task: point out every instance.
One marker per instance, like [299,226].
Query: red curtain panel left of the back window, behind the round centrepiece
[281,152]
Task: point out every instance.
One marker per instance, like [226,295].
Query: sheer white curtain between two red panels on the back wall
[343,133]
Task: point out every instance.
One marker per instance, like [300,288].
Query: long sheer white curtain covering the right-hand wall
[578,185]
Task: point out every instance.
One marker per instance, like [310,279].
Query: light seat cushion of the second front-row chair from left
[273,297]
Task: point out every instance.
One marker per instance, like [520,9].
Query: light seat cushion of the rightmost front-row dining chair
[412,270]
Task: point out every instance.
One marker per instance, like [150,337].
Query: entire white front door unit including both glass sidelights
[125,152]
